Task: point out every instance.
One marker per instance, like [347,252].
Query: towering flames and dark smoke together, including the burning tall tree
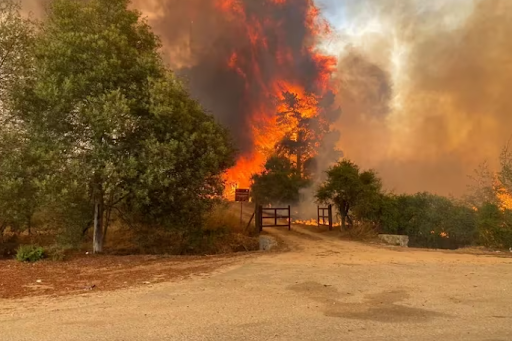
[243,54]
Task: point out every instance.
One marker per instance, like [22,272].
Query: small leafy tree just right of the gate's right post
[350,190]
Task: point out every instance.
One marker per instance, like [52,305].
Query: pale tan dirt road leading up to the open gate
[321,289]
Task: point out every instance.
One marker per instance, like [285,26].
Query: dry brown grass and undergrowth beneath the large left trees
[221,233]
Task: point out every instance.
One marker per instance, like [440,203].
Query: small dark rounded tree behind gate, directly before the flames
[279,183]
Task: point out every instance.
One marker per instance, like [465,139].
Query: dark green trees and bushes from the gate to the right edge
[483,217]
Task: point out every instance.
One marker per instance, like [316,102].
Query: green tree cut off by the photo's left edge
[20,165]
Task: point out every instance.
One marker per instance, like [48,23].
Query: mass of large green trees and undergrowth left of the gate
[100,142]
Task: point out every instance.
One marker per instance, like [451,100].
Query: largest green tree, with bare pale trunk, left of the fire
[101,102]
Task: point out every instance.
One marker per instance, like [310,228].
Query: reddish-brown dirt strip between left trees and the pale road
[87,273]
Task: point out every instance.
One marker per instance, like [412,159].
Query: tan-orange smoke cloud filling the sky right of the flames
[424,89]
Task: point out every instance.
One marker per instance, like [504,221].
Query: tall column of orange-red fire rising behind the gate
[271,65]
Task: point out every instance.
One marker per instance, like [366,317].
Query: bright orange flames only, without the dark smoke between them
[265,129]
